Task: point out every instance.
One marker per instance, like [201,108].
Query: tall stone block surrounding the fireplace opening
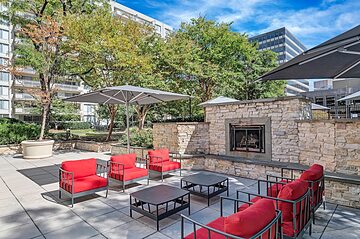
[282,112]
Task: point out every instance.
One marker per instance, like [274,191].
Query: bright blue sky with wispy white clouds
[312,21]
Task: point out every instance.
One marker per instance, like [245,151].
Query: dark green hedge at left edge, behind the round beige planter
[14,131]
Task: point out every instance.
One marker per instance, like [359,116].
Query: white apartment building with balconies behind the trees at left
[17,103]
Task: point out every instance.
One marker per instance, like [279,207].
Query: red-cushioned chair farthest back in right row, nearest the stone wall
[315,178]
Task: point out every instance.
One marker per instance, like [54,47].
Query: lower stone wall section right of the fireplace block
[332,143]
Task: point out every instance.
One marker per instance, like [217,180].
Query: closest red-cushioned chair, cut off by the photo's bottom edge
[258,220]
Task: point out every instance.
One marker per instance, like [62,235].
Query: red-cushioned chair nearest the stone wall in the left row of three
[161,163]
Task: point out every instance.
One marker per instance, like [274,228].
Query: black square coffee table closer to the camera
[159,202]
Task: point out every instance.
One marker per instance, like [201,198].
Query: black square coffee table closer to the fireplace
[205,185]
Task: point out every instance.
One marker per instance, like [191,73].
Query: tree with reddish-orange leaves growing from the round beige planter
[41,43]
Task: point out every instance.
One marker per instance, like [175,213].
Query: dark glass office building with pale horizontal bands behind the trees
[286,46]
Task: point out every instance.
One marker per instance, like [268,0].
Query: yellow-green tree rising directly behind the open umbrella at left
[108,51]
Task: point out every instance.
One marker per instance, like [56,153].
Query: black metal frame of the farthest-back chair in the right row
[320,199]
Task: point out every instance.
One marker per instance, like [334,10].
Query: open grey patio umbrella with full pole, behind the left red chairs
[127,95]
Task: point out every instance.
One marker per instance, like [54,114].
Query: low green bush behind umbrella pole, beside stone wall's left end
[139,138]
